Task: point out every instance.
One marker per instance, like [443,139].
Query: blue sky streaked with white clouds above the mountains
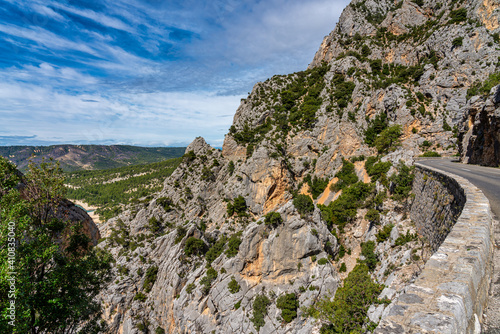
[145,72]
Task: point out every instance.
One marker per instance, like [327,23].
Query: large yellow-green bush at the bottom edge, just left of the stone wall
[348,310]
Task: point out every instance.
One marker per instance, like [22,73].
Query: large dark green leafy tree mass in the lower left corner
[58,273]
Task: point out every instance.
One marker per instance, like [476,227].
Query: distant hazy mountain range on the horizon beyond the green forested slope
[89,157]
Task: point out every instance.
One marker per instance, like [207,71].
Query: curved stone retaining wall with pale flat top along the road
[450,294]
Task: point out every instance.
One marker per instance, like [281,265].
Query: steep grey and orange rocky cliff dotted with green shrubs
[292,203]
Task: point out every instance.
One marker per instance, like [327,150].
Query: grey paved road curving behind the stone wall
[488,180]
